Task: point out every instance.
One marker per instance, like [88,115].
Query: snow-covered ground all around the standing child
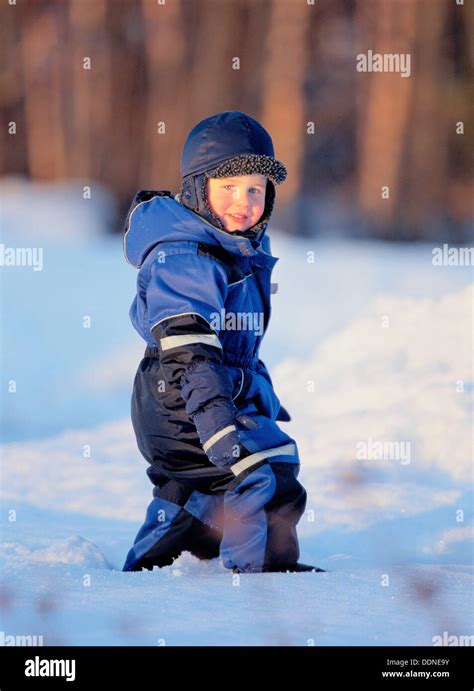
[370,349]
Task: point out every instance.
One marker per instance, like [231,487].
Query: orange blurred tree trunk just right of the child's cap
[284,71]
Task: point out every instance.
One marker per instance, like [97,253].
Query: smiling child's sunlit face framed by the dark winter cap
[238,201]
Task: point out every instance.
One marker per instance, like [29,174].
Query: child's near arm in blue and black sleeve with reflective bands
[183,292]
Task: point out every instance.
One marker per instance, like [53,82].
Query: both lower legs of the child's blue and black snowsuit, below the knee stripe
[260,513]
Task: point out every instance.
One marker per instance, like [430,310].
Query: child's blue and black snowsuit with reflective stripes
[201,383]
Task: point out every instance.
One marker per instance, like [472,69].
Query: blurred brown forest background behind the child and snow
[105,91]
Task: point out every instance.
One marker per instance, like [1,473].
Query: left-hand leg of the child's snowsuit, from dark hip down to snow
[184,514]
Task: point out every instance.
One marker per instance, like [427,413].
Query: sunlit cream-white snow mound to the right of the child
[400,373]
